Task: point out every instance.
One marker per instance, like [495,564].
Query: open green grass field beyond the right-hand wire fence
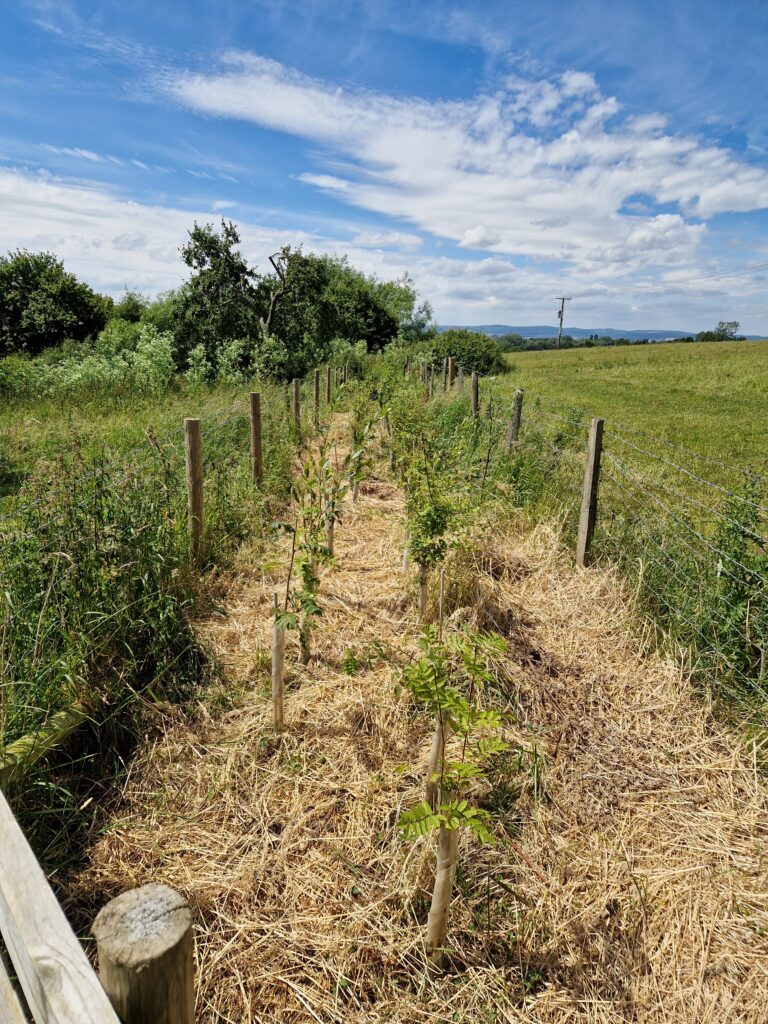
[710,398]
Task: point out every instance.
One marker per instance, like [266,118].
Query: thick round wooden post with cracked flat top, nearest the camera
[145,944]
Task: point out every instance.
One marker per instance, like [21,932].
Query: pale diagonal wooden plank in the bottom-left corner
[58,982]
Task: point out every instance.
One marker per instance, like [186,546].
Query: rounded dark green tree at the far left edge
[41,305]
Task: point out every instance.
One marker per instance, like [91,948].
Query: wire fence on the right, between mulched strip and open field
[688,530]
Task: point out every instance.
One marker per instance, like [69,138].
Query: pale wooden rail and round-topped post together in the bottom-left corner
[145,943]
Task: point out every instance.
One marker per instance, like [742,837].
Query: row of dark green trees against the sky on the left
[281,323]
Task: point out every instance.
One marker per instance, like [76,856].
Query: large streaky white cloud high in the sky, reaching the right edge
[545,165]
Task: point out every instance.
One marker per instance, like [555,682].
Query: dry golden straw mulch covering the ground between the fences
[630,880]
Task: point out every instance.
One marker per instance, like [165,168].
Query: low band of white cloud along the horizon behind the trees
[115,243]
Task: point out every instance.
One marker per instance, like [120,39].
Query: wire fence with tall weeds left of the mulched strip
[97,575]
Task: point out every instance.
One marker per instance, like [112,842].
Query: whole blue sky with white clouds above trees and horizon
[500,153]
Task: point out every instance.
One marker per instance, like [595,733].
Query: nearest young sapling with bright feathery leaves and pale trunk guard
[450,678]
